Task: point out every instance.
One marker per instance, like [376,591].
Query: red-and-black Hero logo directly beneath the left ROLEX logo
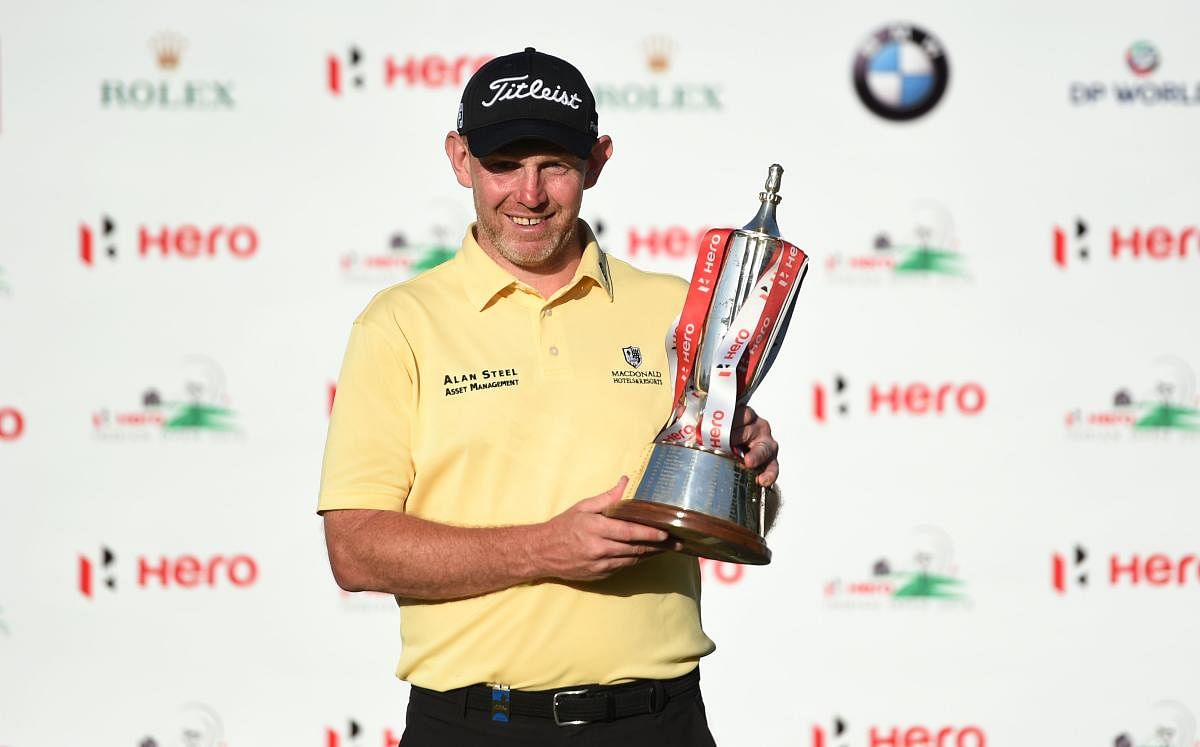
[187,242]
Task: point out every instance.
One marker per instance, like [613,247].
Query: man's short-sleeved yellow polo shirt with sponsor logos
[467,398]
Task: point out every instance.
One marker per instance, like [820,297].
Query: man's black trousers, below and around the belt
[442,720]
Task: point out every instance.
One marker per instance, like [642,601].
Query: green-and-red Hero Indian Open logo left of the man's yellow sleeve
[197,404]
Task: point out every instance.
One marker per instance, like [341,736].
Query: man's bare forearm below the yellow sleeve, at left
[404,555]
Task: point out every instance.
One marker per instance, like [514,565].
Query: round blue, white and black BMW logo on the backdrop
[901,73]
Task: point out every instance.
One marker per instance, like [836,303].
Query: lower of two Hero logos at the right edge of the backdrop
[1071,570]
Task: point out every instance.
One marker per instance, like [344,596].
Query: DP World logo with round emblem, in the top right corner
[1144,61]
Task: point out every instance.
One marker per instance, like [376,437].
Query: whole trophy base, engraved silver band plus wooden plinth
[705,500]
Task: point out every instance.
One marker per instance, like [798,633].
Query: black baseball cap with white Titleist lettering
[529,95]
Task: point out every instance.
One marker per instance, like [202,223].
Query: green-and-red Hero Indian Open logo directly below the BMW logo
[919,246]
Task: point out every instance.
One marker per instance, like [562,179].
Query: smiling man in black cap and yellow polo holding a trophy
[478,403]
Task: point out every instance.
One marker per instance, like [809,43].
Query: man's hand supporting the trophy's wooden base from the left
[583,545]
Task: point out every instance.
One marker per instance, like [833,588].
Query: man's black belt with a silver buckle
[587,703]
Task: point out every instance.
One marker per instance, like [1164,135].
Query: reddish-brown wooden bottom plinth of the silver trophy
[700,534]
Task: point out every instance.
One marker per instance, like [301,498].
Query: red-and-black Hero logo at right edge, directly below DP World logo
[1076,243]
